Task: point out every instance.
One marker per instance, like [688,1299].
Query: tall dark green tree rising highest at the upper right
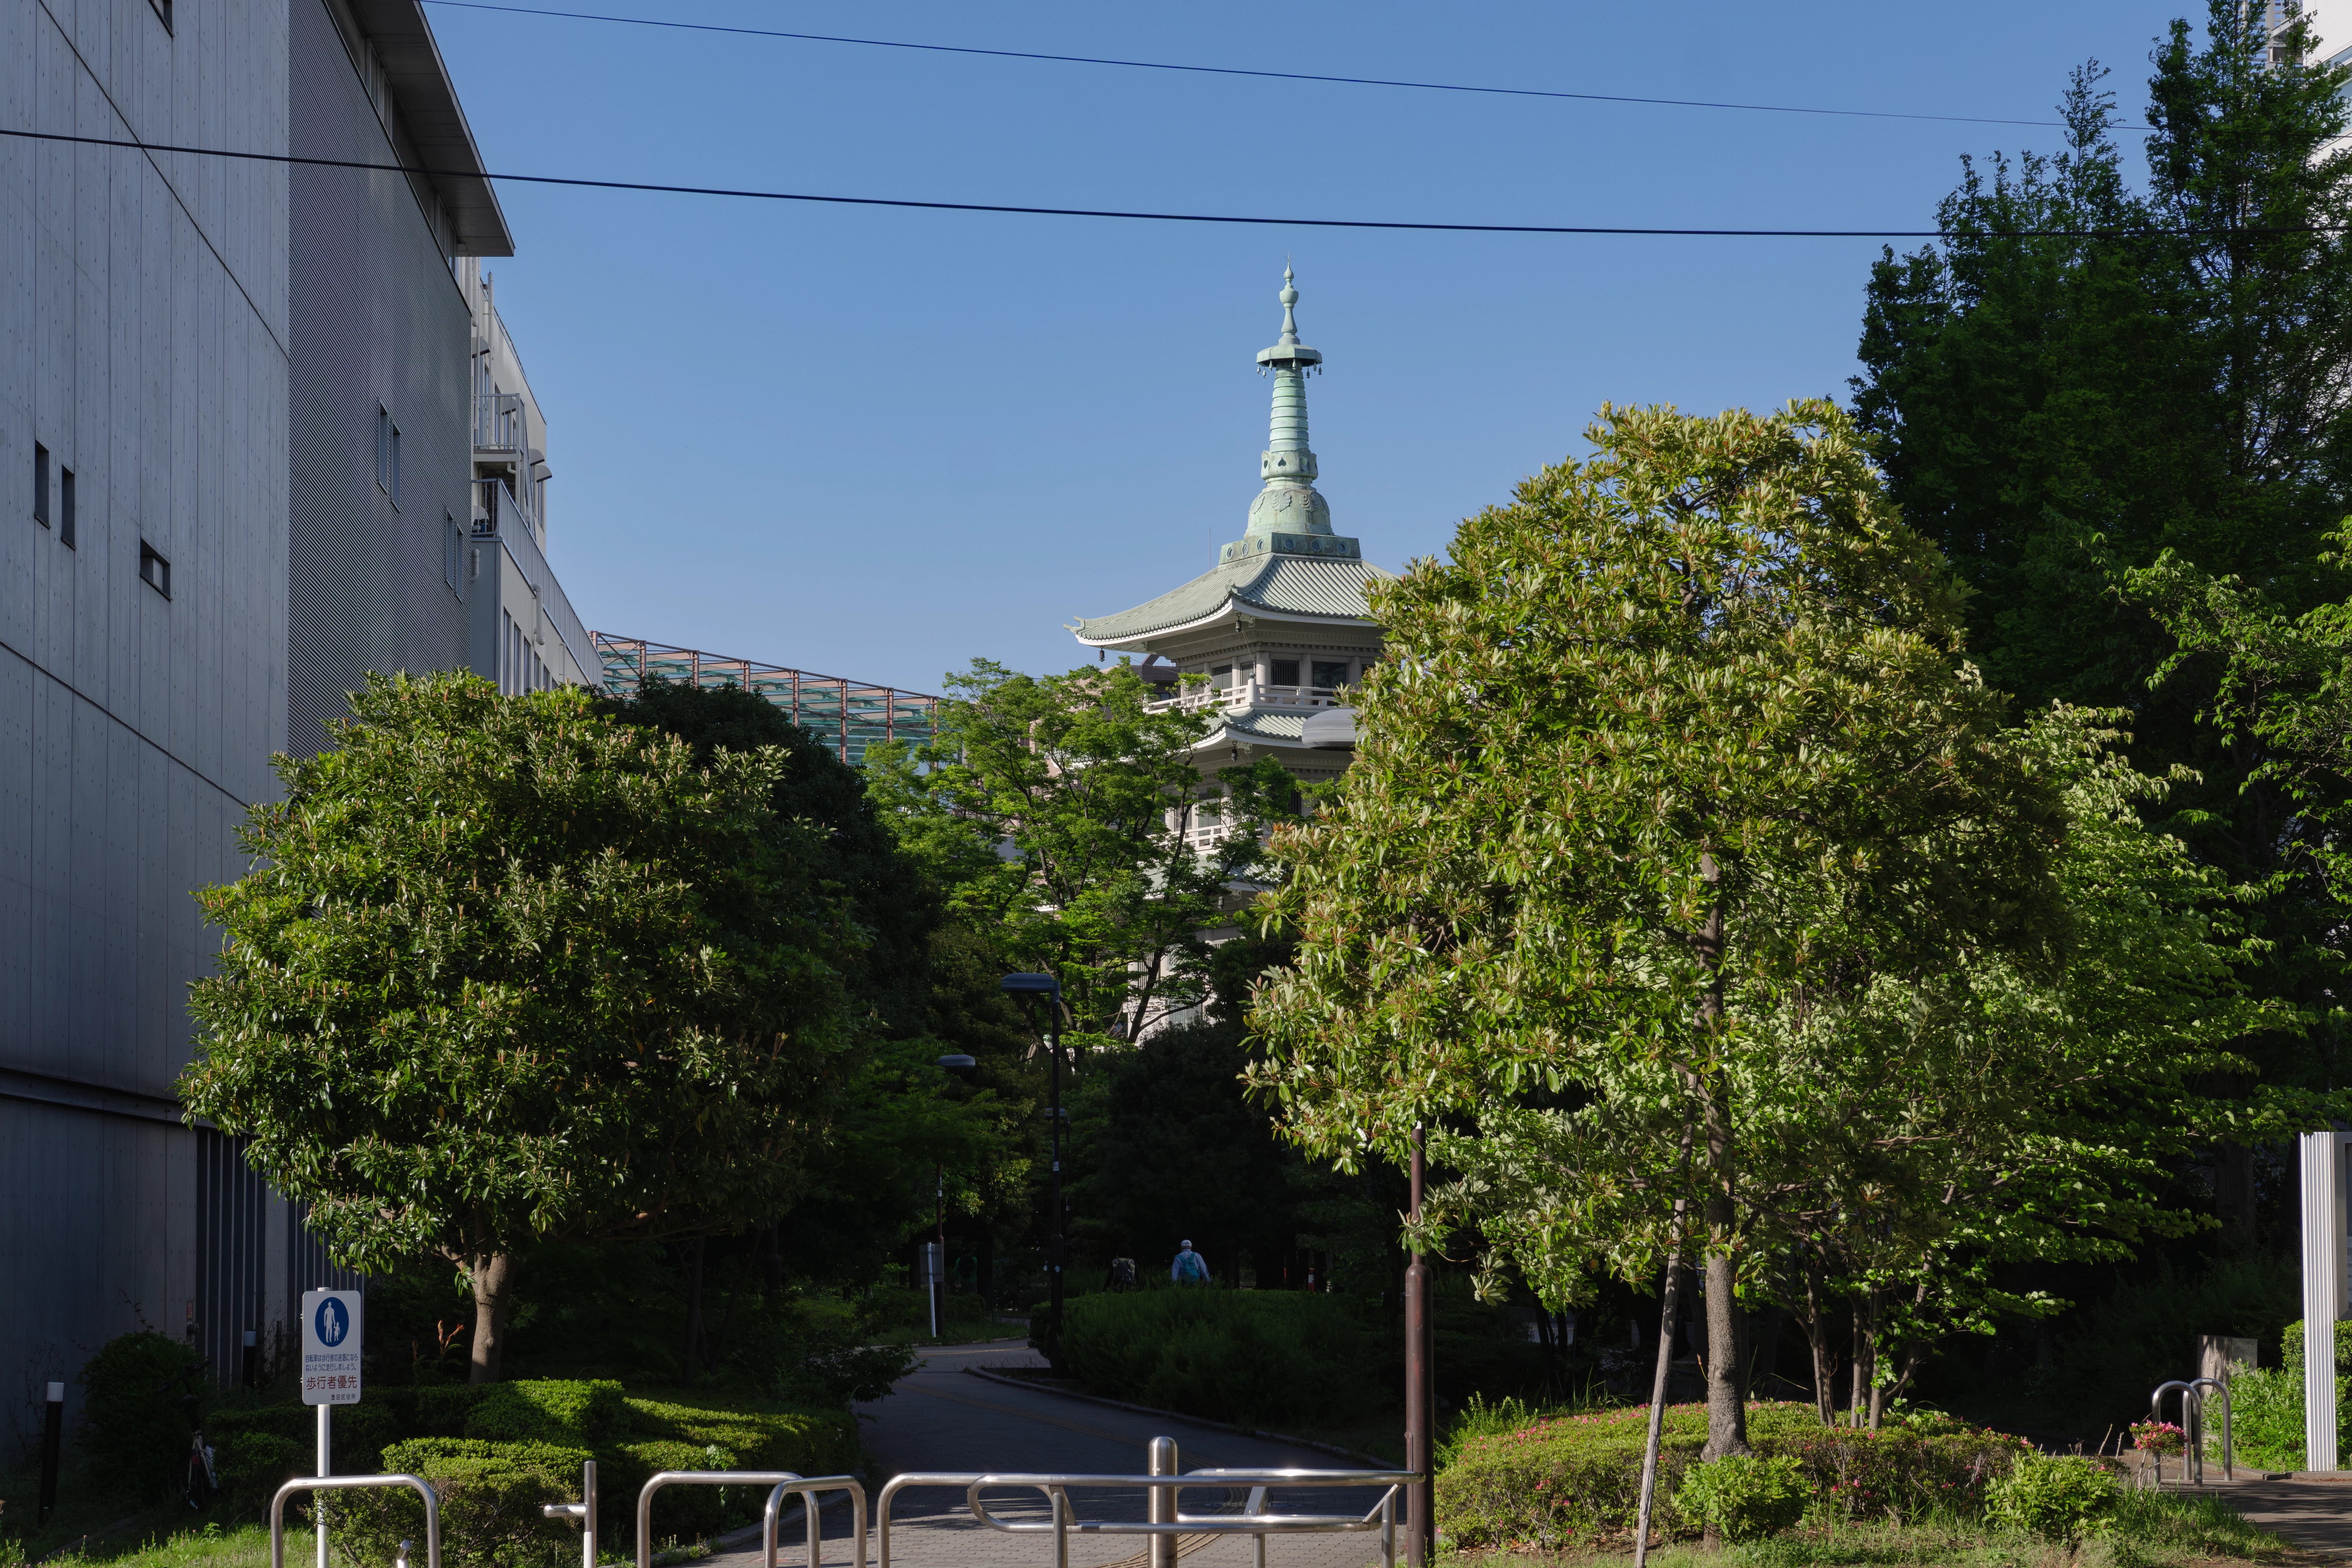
[2087,380]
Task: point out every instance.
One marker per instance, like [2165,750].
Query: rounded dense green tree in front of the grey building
[512,972]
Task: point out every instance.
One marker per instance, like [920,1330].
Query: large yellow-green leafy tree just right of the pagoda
[1671,737]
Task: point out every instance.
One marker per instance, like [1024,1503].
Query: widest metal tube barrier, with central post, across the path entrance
[1175,1522]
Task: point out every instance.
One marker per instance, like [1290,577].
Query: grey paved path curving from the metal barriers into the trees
[942,1421]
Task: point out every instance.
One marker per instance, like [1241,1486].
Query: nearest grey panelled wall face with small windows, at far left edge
[145,344]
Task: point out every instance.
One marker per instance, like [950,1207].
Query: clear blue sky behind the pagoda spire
[883,443]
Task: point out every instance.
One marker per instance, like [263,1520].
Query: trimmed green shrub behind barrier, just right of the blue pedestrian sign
[490,1503]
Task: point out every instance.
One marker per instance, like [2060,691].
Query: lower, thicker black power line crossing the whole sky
[1172,217]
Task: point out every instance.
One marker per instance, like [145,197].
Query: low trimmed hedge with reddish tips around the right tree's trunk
[1579,1477]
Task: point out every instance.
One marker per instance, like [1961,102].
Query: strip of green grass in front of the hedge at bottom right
[2151,1532]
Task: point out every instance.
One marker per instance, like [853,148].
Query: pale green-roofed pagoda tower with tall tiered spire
[1274,636]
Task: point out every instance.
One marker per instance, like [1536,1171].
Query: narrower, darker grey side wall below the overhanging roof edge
[377,319]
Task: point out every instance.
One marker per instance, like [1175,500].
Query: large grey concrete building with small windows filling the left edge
[246,462]
